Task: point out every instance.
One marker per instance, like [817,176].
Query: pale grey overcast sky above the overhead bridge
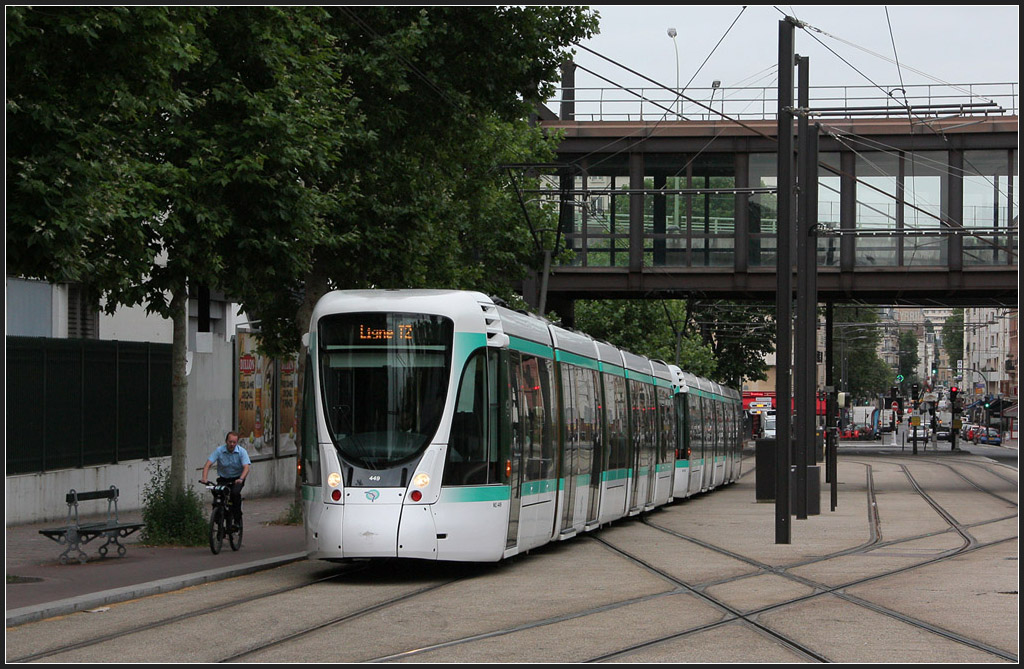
[954,45]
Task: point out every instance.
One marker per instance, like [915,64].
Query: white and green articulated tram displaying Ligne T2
[440,426]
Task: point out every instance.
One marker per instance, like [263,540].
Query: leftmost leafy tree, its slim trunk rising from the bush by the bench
[154,149]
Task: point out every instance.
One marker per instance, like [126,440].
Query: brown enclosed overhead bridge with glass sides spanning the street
[912,210]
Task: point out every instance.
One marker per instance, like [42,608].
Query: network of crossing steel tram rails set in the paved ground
[731,615]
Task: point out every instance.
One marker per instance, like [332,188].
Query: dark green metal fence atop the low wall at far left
[76,403]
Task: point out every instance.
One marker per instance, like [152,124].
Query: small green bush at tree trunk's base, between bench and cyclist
[173,517]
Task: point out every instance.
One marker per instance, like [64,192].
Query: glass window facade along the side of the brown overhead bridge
[876,210]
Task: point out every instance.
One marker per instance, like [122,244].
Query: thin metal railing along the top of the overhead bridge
[753,104]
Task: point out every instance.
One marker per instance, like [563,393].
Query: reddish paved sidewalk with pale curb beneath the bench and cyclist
[38,587]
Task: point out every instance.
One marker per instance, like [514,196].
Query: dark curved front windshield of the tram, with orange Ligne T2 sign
[385,380]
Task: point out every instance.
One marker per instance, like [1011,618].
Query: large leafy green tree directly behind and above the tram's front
[428,203]
